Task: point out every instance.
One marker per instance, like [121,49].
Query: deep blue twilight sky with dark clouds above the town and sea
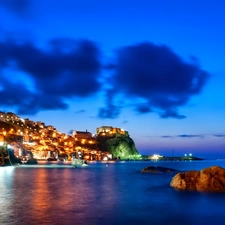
[153,68]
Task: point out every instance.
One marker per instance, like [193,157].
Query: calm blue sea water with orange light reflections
[56,193]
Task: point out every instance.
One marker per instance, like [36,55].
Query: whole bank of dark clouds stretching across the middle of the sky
[152,78]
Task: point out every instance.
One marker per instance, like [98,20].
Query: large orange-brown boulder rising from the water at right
[211,179]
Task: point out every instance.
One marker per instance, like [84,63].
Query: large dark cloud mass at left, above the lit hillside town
[67,69]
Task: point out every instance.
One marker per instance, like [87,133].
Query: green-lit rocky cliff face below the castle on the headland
[122,147]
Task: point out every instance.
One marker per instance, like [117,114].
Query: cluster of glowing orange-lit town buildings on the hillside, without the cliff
[47,143]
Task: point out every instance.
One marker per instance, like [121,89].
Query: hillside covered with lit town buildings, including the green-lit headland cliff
[47,142]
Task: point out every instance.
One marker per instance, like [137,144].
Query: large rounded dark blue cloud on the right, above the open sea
[158,76]
